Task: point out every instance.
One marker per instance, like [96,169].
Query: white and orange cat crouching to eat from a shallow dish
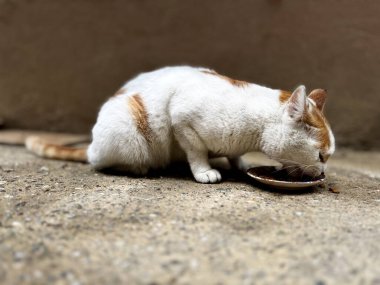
[193,113]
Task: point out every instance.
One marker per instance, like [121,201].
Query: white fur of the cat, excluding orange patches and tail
[193,115]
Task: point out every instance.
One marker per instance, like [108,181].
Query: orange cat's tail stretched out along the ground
[48,150]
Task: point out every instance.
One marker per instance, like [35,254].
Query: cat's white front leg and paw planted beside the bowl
[197,155]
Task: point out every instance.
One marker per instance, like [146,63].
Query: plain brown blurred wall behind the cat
[59,59]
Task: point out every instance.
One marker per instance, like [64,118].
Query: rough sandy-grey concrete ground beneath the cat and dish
[63,223]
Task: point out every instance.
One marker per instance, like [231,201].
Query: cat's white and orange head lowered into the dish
[304,140]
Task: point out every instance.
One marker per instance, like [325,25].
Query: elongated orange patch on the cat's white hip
[140,116]
